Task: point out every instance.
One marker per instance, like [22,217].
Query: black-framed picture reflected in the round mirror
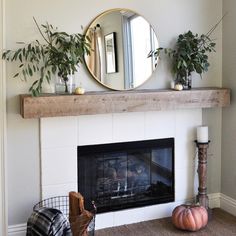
[111,53]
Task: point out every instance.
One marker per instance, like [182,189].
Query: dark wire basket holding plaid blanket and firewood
[62,203]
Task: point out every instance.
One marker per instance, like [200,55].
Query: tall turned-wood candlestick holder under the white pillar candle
[202,197]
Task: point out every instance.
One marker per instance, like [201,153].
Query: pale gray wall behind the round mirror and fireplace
[169,18]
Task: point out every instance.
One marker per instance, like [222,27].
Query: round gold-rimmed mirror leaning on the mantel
[121,41]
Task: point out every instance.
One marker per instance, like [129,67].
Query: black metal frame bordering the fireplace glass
[100,148]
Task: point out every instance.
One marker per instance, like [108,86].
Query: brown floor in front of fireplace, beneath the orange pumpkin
[221,224]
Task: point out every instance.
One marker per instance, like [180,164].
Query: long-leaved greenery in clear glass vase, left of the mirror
[59,55]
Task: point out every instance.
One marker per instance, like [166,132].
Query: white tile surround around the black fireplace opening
[60,137]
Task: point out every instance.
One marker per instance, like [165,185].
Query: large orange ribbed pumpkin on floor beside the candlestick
[190,217]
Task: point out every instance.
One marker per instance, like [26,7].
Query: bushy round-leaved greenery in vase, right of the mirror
[189,55]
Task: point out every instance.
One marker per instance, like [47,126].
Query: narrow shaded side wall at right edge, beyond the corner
[228,183]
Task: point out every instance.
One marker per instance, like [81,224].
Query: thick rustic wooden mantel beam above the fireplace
[52,105]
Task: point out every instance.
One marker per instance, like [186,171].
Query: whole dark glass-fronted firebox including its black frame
[126,175]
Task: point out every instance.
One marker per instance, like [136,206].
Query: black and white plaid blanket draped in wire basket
[48,222]
